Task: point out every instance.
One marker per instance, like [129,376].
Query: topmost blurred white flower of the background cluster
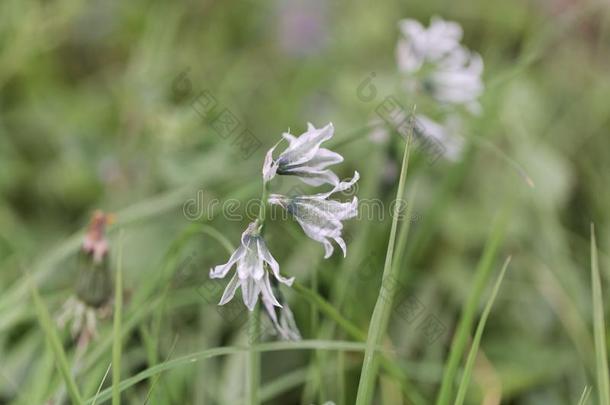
[420,45]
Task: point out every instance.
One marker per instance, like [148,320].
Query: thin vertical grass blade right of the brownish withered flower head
[118,308]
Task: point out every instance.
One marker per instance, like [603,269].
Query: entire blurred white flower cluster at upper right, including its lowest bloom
[433,62]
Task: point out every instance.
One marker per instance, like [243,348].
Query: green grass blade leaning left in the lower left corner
[53,339]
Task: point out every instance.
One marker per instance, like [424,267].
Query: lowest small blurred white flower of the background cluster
[444,139]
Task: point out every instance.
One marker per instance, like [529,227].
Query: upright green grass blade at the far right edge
[599,327]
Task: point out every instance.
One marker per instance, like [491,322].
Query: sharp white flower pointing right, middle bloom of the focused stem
[320,217]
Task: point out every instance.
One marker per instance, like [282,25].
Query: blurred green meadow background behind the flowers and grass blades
[96,112]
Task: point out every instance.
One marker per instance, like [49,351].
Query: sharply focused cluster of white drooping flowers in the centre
[258,273]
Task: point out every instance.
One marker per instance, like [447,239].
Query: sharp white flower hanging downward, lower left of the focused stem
[252,276]
